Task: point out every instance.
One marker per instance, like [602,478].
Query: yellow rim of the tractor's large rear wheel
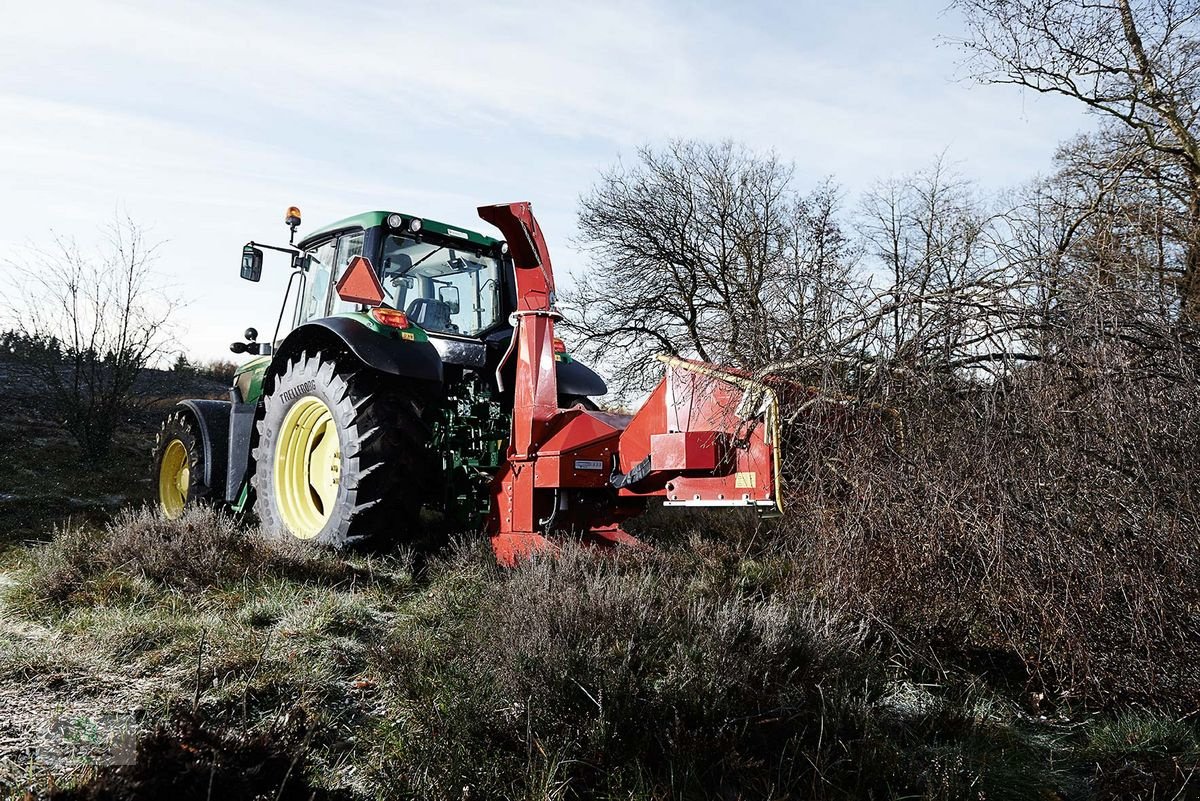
[308,468]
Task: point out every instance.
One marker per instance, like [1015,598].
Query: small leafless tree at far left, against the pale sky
[107,321]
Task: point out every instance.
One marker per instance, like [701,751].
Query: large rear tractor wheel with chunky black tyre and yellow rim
[341,455]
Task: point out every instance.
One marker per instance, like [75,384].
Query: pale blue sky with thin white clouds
[205,122]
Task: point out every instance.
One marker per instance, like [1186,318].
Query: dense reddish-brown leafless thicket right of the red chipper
[1046,523]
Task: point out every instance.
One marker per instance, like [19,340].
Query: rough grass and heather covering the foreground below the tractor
[693,672]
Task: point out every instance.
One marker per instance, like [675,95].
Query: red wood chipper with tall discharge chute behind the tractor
[706,437]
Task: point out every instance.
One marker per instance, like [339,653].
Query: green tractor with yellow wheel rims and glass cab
[381,395]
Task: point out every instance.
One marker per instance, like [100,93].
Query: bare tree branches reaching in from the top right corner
[1137,65]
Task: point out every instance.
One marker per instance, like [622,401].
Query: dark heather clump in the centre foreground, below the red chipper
[623,674]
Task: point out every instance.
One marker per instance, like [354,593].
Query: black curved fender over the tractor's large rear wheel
[416,360]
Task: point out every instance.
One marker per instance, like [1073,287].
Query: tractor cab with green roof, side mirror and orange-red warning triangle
[401,293]
